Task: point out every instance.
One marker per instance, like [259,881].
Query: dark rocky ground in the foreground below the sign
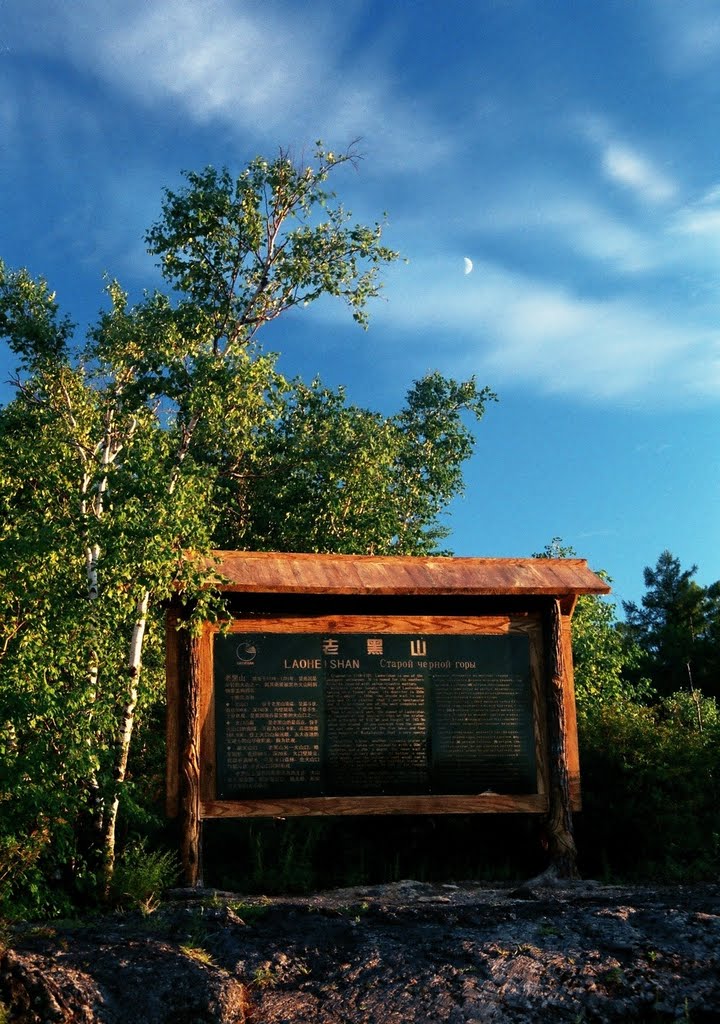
[406,954]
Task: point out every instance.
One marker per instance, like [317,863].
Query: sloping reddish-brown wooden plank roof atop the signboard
[272,573]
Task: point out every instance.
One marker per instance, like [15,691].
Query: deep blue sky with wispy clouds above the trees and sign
[569,150]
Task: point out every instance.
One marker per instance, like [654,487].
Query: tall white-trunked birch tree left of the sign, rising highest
[121,413]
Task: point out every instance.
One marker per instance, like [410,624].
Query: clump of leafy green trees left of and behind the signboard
[167,431]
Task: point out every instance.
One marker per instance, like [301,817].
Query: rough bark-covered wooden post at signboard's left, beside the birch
[190,756]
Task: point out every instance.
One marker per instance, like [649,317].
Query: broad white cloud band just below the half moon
[513,327]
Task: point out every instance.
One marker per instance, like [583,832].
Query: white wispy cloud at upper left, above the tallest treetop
[269,72]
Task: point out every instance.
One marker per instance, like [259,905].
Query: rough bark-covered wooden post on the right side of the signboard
[563,849]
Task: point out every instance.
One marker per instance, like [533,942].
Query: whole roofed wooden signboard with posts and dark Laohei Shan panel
[361,686]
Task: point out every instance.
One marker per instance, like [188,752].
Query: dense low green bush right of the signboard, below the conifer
[651,789]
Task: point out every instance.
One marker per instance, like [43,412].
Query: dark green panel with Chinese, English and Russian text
[307,715]
